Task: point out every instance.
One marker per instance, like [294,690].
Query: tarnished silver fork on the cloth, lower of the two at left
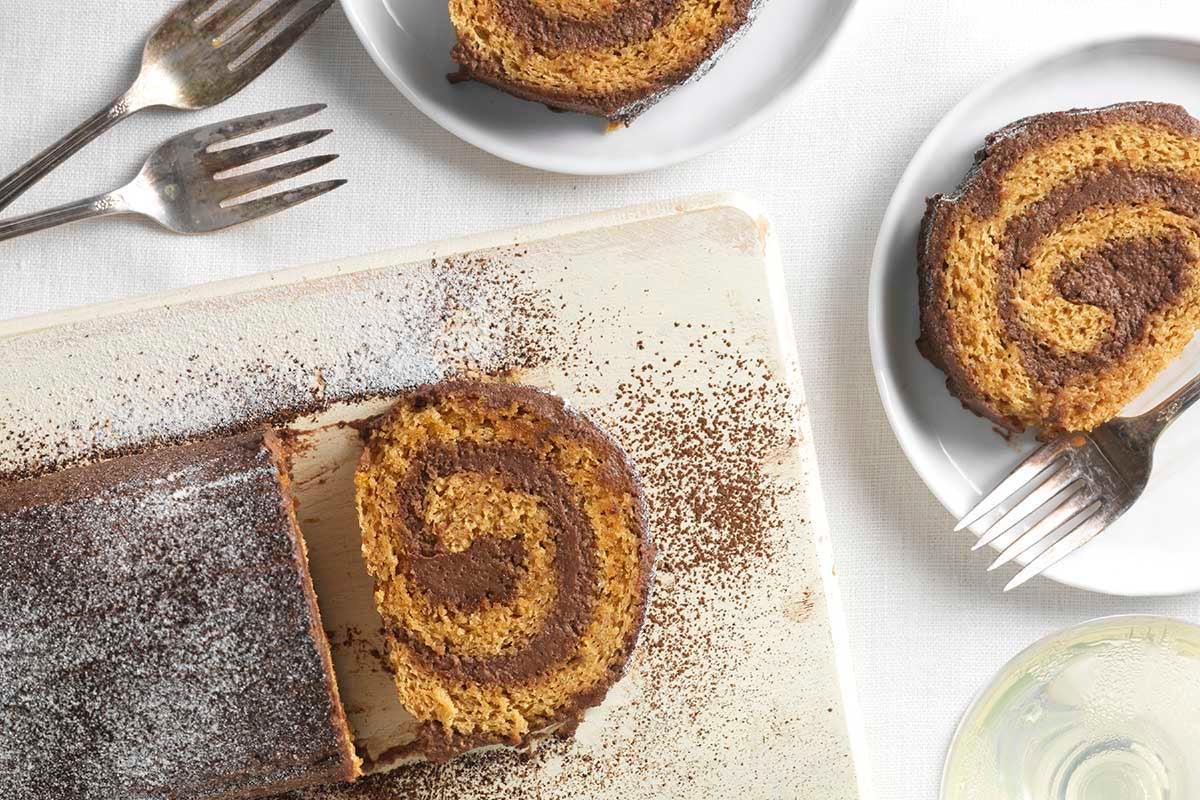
[184,184]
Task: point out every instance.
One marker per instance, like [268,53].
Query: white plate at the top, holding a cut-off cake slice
[411,41]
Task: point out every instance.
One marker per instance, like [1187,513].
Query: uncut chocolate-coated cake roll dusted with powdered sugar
[160,636]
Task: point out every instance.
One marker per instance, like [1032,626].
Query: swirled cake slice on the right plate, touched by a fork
[1061,278]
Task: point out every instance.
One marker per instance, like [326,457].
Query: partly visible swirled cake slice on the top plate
[595,57]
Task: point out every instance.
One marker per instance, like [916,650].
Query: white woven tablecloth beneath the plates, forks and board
[928,627]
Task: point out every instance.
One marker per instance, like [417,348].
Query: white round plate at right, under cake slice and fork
[1155,550]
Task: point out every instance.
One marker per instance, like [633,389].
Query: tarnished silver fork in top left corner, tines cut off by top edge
[185,65]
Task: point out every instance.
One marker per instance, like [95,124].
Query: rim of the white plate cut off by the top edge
[833,32]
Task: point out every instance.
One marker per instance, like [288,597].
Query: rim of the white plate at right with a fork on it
[892,222]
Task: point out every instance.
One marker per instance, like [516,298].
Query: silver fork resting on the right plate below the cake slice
[1090,480]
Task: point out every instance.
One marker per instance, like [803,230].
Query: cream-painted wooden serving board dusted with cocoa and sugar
[668,324]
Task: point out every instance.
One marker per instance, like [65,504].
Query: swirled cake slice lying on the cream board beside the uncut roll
[508,540]
